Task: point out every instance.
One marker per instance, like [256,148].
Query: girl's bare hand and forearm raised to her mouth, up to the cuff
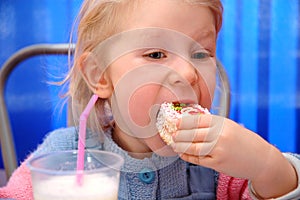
[220,143]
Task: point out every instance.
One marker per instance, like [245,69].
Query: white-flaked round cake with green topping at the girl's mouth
[170,113]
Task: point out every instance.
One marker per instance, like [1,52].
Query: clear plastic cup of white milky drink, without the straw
[54,175]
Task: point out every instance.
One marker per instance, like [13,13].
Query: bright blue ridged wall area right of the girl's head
[260,48]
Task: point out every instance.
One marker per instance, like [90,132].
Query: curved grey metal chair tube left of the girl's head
[6,136]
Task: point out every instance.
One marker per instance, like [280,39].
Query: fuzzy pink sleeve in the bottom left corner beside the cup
[19,185]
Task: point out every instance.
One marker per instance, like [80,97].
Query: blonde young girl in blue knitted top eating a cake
[135,55]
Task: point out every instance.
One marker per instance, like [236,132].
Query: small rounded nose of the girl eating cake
[184,73]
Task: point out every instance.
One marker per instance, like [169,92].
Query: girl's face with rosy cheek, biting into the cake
[165,54]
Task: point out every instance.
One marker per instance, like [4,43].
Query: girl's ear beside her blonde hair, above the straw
[95,75]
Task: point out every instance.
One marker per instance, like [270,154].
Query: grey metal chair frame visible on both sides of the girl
[6,135]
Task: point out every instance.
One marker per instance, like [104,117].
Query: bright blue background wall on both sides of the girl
[258,45]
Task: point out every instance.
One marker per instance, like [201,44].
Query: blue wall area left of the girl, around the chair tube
[32,103]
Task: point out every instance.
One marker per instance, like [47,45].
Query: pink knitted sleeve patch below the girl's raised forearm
[232,188]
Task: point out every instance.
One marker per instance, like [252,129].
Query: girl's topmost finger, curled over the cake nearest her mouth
[195,121]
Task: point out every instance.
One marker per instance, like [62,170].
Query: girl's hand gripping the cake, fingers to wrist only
[221,144]
